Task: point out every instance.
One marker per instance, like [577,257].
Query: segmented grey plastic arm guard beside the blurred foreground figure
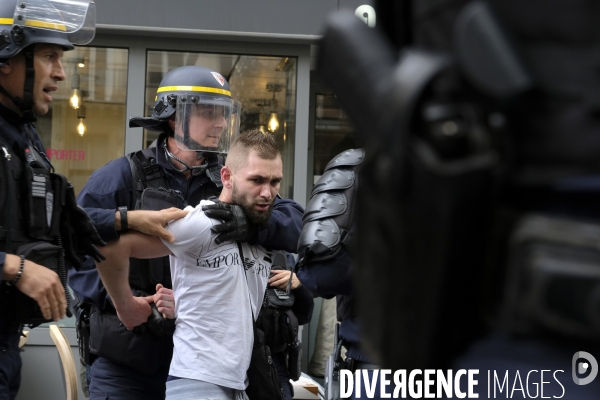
[329,213]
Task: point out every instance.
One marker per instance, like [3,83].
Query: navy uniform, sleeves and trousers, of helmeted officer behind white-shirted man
[111,187]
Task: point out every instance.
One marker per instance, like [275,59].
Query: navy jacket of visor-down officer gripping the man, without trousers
[111,186]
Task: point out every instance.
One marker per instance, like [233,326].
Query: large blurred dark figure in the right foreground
[477,227]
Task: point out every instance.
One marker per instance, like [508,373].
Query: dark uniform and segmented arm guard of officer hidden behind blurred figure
[325,266]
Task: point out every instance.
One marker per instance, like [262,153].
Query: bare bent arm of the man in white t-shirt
[114,272]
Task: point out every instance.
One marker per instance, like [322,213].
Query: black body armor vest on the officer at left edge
[29,225]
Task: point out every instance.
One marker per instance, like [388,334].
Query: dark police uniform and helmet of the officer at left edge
[33,199]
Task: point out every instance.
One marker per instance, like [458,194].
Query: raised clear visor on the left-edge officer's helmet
[77,18]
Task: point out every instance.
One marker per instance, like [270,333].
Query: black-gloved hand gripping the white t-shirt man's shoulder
[235,225]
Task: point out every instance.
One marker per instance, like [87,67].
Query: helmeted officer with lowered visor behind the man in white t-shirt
[197,118]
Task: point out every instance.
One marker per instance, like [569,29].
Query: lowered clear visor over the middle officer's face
[206,123]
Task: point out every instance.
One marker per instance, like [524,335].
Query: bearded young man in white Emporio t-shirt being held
[217,287]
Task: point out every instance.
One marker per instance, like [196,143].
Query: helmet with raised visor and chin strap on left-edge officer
[27,22]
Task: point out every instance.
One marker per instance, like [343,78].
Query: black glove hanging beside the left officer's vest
[78,233]
